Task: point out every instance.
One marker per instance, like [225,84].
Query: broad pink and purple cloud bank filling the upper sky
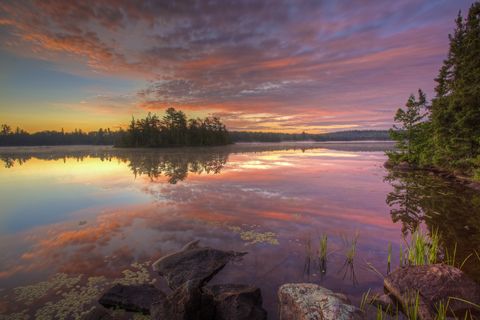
[251,56]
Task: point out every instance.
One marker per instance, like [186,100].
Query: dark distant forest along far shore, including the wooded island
[173,130]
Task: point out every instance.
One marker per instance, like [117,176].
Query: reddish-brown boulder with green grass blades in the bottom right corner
[434,283]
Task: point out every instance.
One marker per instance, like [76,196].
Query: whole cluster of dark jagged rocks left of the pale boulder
[186,272]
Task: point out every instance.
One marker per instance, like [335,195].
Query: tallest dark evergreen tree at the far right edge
[456,106]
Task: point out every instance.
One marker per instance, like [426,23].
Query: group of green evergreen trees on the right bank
[445,133]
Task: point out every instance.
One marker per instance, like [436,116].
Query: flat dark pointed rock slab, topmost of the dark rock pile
[193,263]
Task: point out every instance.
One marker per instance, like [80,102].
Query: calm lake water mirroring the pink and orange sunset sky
[74,220]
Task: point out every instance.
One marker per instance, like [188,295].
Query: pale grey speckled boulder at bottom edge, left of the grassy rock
[308,301]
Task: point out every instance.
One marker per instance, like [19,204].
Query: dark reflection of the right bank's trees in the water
[420,197]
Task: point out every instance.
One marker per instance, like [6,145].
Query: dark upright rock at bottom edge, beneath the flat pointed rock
[185,303]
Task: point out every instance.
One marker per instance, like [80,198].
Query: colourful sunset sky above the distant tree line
[282,66]
